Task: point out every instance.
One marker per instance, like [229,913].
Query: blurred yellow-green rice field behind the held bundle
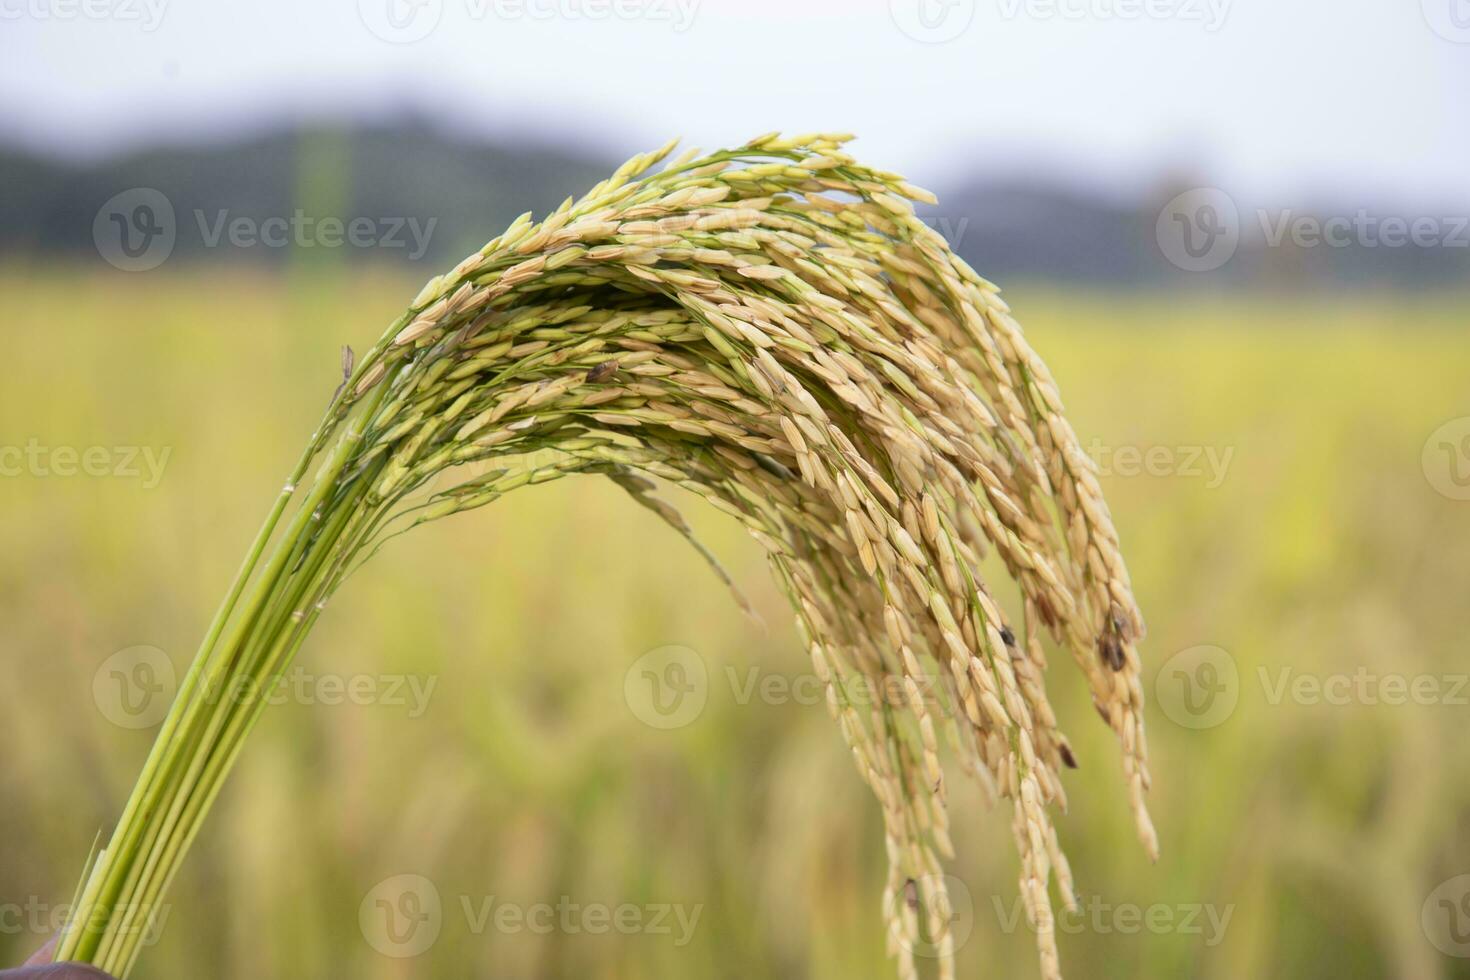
[1299,840]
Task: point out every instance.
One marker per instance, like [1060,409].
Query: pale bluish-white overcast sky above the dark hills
[1278,101]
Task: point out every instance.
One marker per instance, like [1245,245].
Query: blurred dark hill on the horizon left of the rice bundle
[267,198]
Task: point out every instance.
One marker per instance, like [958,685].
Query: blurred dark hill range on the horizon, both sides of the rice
[412,192]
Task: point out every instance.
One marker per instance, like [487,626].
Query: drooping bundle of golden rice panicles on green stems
[774,330]
